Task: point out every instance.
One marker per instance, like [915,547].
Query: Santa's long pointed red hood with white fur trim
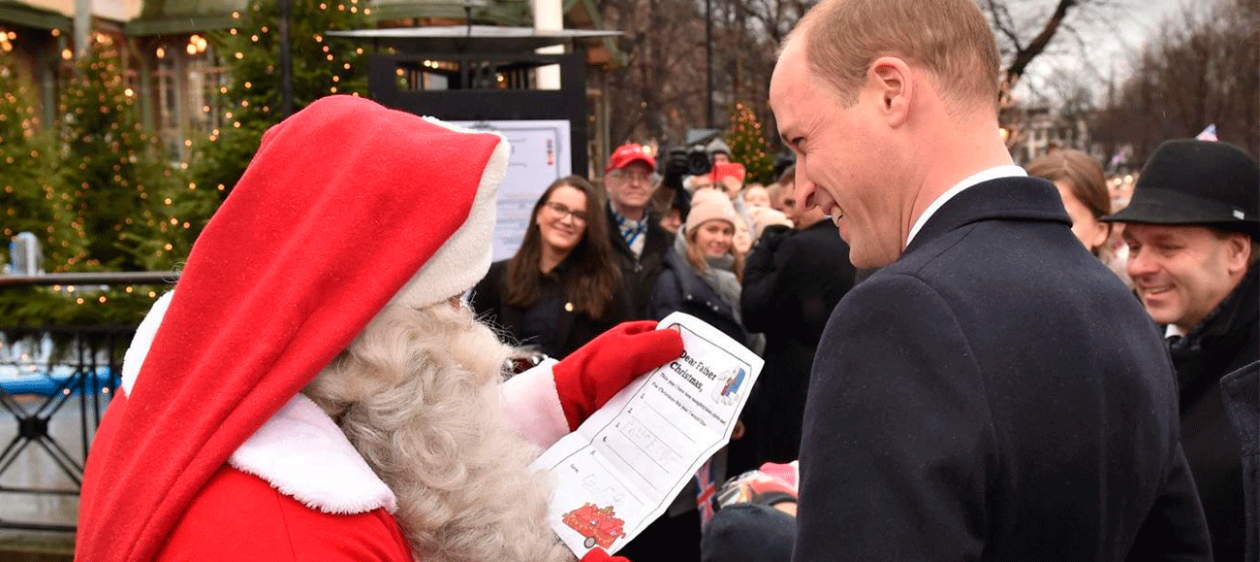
[346,207]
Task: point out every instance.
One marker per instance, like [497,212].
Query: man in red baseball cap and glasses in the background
[638,241]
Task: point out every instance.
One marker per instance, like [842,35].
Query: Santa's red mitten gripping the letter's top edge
[589,377]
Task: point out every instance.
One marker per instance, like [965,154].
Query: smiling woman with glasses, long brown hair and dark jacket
[563,288]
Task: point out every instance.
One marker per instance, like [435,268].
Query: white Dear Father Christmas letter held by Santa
[624,466]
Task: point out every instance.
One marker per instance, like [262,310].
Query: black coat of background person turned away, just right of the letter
[792,283]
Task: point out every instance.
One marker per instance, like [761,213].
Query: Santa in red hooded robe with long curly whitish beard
[313,390]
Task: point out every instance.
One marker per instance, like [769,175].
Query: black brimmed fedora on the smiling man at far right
[1194,182]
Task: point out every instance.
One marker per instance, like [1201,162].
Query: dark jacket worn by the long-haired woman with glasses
[550,323]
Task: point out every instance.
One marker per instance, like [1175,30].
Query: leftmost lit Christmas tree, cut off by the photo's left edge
[32,200]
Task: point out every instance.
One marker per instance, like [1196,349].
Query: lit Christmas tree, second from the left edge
[119,191]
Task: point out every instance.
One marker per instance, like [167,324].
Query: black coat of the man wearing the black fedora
[1225,342]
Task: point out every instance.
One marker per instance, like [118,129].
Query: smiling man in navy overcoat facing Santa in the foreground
[994,393]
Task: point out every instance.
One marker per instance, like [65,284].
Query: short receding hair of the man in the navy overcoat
[949,38]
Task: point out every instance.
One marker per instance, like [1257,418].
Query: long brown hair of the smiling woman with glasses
[598,277]
